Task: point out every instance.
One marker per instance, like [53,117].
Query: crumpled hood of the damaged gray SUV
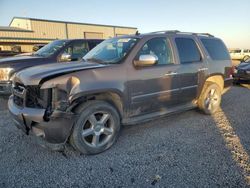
[34,75]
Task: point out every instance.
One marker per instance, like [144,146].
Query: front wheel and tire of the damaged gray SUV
[97,128]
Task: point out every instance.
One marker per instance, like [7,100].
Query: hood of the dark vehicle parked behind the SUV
[8,61]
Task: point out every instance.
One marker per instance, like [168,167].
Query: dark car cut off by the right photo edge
[242,72]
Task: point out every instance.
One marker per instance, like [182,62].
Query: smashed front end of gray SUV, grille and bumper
[42,110]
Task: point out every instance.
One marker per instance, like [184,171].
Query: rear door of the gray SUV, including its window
[193,67]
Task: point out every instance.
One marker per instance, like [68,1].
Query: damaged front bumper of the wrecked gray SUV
[31,120]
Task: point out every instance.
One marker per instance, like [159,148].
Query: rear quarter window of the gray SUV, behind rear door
[216,49]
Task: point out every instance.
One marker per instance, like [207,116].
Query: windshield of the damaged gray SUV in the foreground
[111,50]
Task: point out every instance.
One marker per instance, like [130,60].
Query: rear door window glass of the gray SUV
[188,50]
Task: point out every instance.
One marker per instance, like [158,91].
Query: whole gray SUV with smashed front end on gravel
[124,80]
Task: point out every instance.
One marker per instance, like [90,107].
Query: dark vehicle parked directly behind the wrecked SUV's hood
[56,51]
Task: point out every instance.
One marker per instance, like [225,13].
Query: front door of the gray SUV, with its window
[154,88]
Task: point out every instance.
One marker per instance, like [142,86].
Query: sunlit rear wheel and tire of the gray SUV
[210,98]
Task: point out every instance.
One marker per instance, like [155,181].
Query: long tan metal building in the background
[25,32]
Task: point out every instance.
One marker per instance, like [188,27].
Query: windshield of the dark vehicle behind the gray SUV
[50,48]
